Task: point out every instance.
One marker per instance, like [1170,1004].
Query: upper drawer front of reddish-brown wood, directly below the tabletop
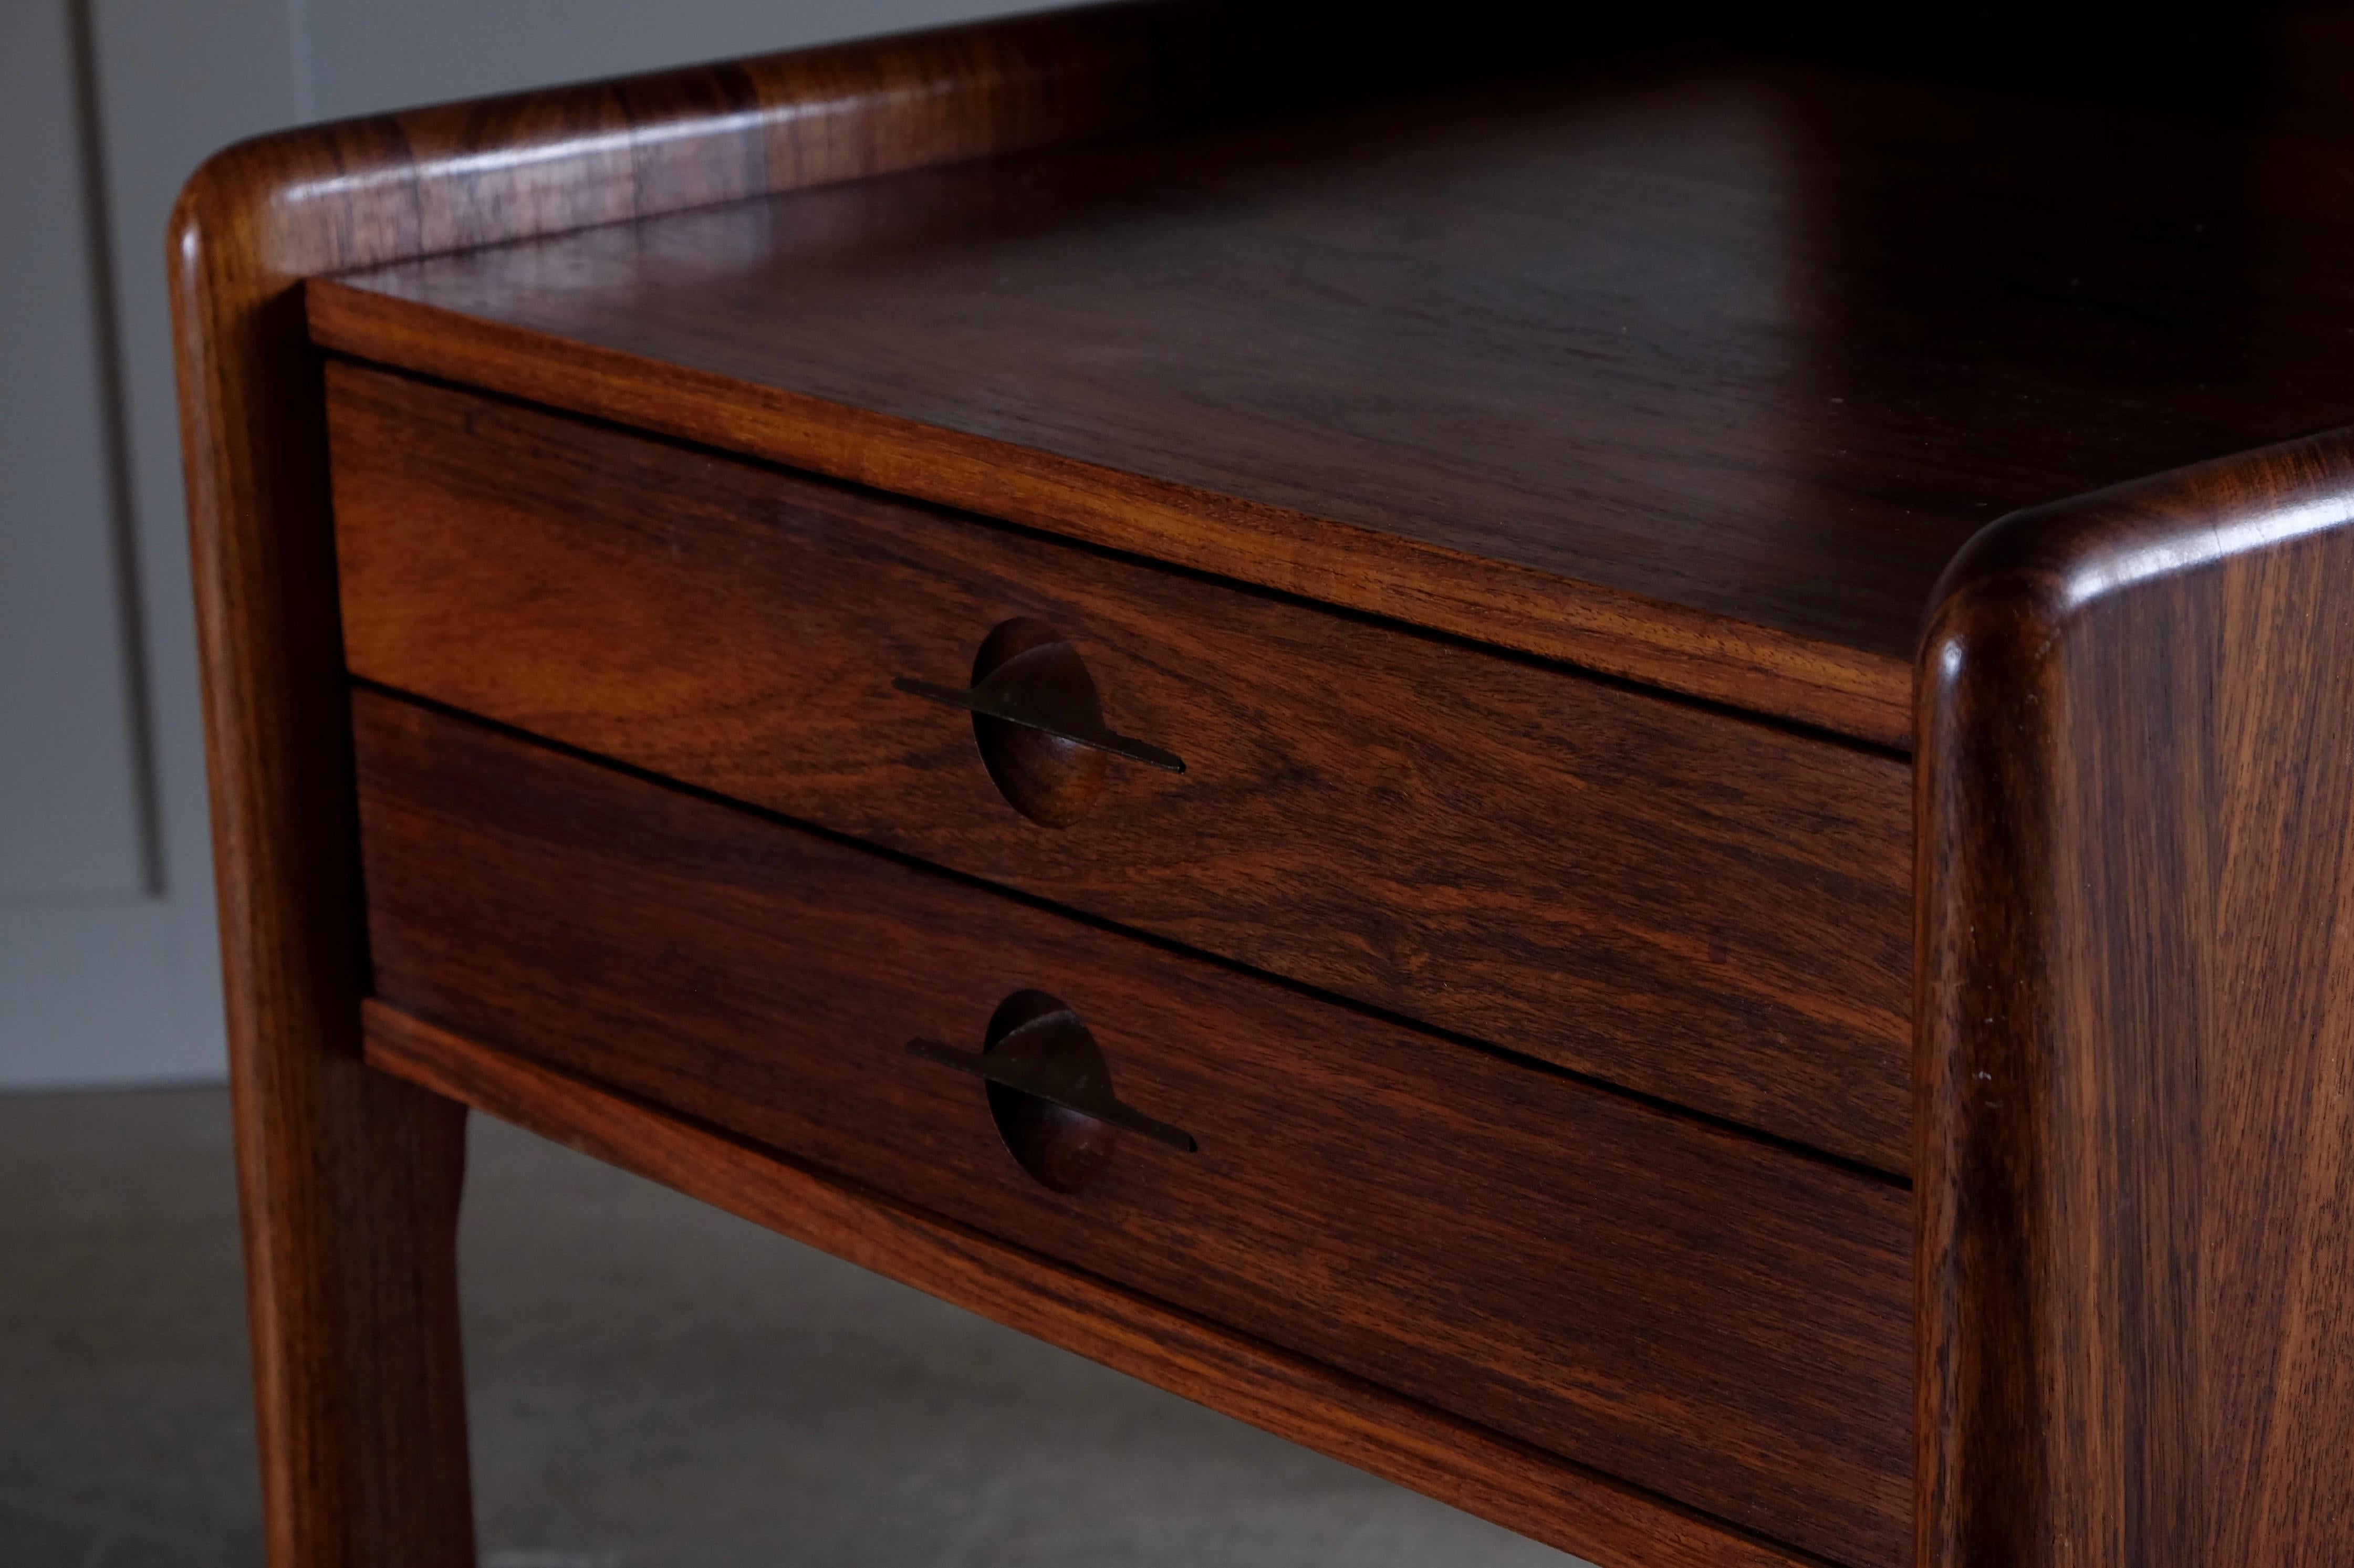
[1670,898]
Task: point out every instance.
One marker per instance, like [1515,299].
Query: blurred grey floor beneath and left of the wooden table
[653,1383]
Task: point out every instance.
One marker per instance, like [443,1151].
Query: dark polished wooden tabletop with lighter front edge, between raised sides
[1689,368]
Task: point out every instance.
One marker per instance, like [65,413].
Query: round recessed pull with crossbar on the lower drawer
[1051,1091]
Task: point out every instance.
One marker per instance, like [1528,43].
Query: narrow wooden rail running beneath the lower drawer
[1305,1402]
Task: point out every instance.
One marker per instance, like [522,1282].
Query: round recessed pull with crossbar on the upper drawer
[1039,722]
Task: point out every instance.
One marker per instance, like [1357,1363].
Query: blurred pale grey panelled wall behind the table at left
[107,943]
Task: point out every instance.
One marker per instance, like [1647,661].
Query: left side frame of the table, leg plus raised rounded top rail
[350,1176]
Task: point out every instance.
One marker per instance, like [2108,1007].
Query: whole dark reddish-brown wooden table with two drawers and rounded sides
[1263,707]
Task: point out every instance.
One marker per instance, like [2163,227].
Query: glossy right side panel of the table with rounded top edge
[2139,1028]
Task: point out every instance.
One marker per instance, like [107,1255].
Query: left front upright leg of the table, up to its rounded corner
[350,1178]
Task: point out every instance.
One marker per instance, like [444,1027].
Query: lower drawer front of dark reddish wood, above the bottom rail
[1647,1294]
